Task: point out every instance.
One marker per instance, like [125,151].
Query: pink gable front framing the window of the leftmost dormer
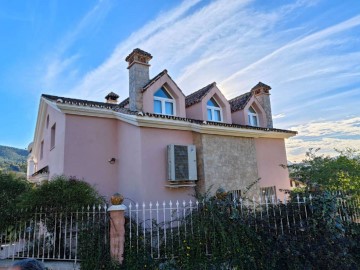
[148,95]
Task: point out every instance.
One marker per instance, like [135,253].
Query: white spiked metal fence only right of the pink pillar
[159,229]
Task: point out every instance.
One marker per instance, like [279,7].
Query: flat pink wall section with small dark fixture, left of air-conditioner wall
[90,143]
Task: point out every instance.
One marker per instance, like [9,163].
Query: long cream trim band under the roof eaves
[145,121]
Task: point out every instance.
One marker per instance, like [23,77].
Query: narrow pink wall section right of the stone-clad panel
[270,154]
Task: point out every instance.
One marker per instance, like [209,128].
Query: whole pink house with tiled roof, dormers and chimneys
[159,144]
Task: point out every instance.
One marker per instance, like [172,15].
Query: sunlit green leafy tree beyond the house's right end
[339,173]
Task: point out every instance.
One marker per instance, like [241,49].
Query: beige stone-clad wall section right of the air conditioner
[227,162]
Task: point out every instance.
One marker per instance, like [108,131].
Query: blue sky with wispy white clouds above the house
[308,51]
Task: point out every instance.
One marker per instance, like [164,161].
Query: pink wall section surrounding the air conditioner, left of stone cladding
[143,163]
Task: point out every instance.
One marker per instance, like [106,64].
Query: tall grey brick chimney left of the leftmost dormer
[138,77]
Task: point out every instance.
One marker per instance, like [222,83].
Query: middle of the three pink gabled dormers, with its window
[208,104]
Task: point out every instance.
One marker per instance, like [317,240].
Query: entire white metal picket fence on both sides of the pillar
[159,229]
